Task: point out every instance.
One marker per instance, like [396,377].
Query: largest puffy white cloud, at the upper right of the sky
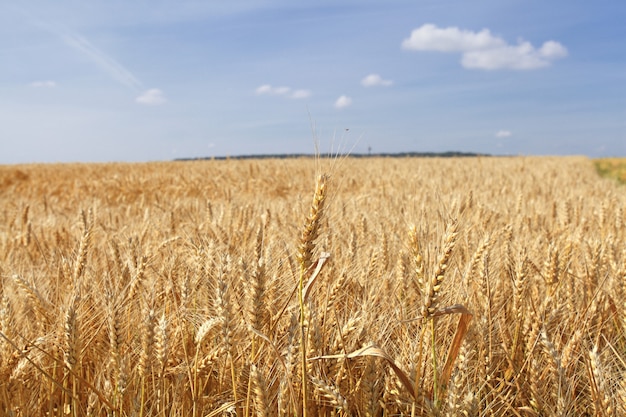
[482,50]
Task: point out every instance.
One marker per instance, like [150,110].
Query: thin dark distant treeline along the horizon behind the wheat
[448,154]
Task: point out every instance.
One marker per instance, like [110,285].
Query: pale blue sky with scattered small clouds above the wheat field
[138,80]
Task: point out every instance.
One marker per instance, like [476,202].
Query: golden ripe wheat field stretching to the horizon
[415,287]
